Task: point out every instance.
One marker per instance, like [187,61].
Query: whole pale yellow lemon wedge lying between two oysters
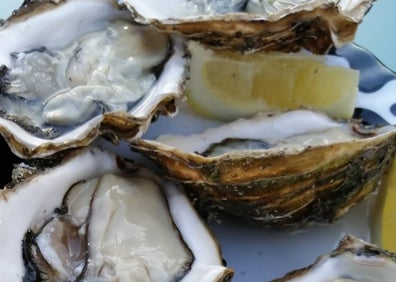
[226,85]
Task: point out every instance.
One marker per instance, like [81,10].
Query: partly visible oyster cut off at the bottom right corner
[352,260]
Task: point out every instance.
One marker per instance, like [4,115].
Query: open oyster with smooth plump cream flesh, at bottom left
[95,216]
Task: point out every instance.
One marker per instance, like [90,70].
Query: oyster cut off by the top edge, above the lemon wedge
[251,25]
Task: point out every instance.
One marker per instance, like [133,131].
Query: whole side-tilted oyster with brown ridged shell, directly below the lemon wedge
[284,170]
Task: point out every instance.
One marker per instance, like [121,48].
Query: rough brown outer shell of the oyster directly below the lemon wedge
[315,185]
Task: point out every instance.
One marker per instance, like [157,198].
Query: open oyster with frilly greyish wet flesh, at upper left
[73,70]
